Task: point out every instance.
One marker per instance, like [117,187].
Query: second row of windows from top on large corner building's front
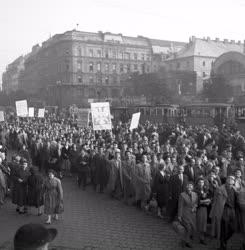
[123,68]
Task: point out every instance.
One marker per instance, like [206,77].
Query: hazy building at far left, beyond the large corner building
[10,78]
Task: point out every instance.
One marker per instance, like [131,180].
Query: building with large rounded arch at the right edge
[231,67]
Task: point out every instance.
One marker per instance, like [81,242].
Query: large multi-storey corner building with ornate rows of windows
[76,66]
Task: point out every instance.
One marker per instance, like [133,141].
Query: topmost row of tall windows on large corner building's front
[115,54]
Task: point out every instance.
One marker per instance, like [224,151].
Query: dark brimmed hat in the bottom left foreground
[33,236]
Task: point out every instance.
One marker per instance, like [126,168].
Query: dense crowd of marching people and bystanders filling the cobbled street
[193,176]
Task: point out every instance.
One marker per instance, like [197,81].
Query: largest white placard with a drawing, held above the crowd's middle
[101,116]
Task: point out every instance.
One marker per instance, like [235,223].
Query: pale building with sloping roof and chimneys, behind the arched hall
[199,55]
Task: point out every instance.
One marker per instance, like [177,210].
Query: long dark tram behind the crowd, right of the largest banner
[190,114]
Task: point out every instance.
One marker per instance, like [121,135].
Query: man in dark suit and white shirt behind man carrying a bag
[177,185]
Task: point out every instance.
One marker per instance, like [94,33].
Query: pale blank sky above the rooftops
[24,23]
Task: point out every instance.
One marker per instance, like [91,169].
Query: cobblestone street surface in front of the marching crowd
[94,221]
